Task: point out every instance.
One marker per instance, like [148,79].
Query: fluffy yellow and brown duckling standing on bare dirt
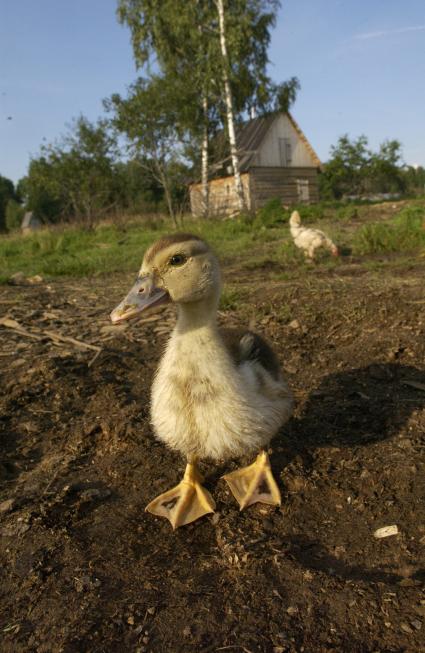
[217,394]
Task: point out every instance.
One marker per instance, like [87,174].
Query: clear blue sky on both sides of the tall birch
[361,64]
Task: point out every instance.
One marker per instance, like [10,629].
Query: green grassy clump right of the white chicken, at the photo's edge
[404,233]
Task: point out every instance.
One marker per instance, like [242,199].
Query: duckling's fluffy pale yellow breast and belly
[205,405]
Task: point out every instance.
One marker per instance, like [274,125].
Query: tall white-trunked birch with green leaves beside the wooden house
[220,46]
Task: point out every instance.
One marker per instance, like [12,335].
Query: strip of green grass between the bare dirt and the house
[250,244]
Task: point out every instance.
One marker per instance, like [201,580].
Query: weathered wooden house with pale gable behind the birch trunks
[276,160]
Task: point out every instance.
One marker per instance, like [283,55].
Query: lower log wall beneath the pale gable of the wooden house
[269,182]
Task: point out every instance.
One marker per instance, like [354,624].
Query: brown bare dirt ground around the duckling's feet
[85,569]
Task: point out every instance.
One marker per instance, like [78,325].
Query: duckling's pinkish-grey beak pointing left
[143,295]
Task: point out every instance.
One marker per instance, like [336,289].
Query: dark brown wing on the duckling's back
[244,345]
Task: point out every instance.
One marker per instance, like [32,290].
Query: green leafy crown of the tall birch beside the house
[184,40]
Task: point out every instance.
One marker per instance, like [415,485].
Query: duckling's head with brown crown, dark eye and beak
[179,268]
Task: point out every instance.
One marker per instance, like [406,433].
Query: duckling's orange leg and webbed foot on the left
[185,502]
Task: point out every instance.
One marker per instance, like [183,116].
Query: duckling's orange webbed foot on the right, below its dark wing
[254,483]
